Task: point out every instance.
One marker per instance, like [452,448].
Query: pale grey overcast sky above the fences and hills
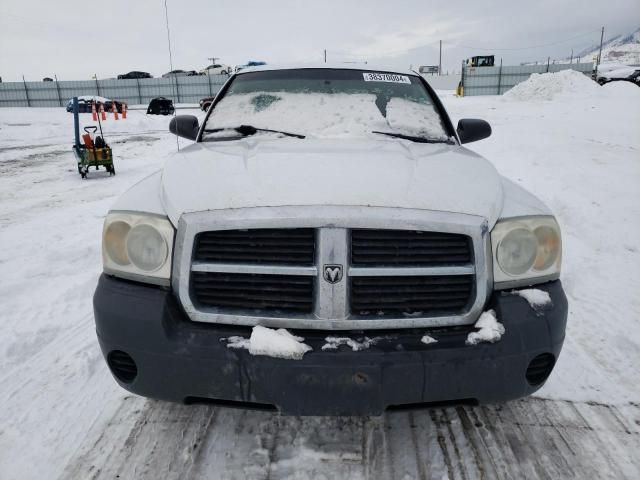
[75,39]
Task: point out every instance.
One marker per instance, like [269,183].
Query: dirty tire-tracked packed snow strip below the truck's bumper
[531,438]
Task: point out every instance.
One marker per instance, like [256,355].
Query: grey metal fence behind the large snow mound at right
[500,79]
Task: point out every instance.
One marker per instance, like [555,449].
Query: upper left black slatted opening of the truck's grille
[267,246]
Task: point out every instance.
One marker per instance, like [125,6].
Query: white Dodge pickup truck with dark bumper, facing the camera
[340,204]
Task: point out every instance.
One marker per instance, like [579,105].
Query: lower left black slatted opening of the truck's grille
[235,291]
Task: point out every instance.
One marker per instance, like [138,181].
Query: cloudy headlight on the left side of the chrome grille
[138,247]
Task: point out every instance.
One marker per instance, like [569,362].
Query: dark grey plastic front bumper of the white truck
[180,360]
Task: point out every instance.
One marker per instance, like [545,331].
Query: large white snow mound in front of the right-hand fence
[547,86]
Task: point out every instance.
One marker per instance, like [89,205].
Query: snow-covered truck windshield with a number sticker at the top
[324,103]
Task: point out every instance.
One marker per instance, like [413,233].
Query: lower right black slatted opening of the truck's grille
[411,295]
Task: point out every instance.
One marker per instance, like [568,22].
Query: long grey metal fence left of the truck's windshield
[132,91]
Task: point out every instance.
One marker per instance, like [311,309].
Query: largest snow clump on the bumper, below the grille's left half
[272,343]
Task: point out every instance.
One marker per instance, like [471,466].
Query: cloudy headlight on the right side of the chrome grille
[526,250]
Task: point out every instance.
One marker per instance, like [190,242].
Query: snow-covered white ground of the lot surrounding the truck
[62,415]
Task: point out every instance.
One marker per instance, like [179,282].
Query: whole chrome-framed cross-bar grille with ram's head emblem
[331,268]
